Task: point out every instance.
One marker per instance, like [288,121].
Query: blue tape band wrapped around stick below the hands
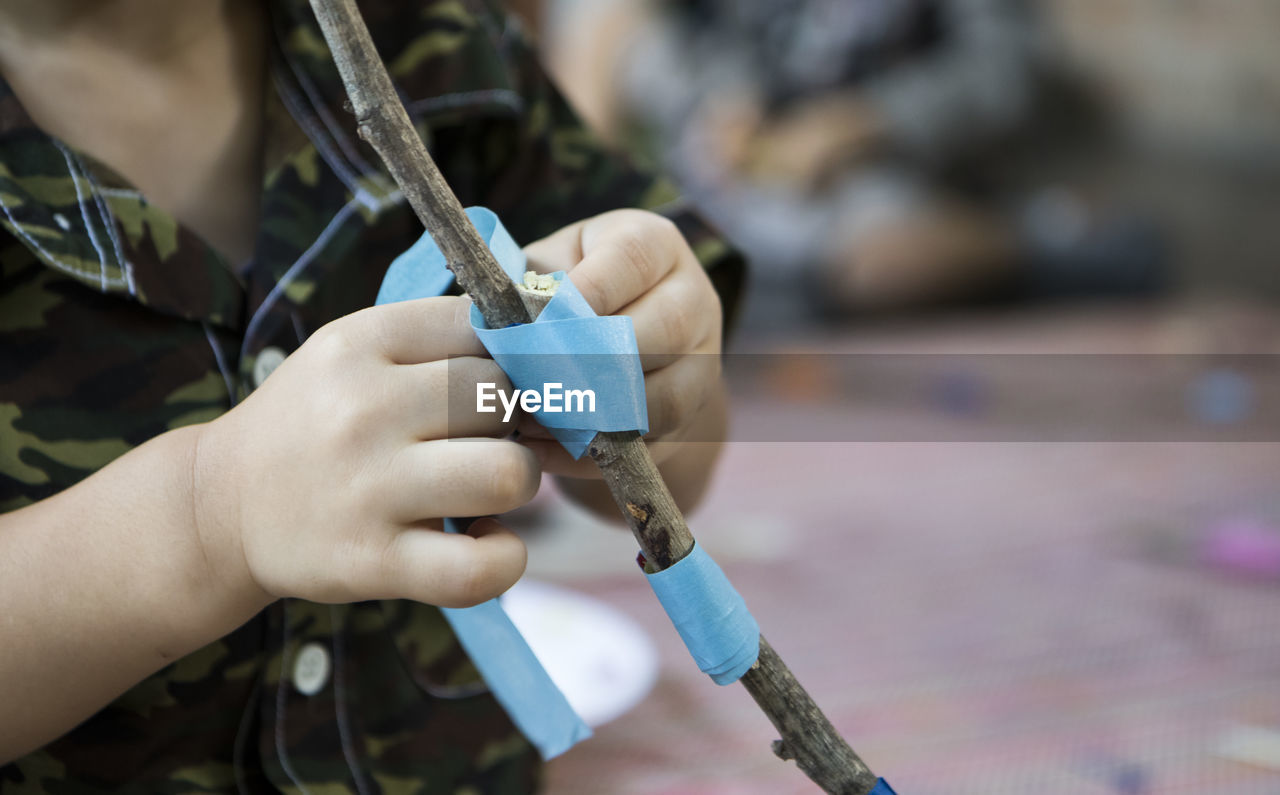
[711,618]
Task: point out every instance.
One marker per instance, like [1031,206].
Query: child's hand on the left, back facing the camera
[328,483]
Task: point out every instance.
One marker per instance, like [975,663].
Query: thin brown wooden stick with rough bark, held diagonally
[629,472]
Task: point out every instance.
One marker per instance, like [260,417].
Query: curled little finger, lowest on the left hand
[454,570]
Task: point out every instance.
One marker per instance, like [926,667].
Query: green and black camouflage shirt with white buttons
[117,325]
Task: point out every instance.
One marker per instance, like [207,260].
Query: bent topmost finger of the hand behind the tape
[624,255]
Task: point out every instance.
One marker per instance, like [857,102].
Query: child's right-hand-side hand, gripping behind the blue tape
[638,264]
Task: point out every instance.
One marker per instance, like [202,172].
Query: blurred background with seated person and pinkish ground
[1002,487]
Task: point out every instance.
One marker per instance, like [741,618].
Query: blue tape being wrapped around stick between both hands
[568,345]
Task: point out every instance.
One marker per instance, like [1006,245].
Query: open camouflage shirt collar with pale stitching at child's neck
[442,58]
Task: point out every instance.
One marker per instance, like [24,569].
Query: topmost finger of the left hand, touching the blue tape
[414,332]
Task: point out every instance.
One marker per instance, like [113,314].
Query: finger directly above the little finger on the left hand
[469,477]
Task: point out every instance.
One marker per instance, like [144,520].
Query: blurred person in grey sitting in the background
[874,154]
